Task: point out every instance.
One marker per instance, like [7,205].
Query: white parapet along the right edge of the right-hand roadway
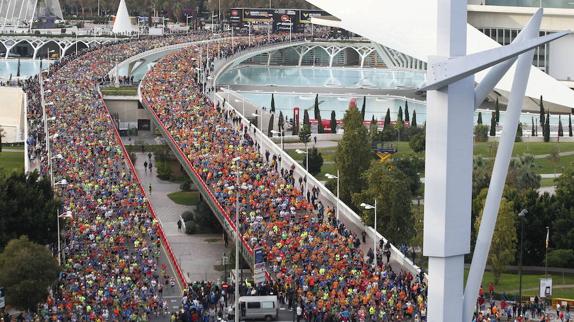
[346,215]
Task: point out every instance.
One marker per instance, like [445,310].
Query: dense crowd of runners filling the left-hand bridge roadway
[111,265]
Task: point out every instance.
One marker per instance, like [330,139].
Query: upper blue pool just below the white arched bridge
[323,77]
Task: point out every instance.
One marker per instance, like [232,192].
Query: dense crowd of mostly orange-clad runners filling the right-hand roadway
[311,255]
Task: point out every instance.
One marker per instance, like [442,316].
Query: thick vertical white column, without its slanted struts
[448,185]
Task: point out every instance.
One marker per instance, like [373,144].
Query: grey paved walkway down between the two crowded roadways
[196,254]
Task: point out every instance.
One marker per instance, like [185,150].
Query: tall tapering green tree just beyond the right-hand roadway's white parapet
[353,154]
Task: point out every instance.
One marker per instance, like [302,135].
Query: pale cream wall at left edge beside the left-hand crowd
[12,114]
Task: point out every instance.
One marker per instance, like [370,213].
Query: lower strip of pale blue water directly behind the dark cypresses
[376,105]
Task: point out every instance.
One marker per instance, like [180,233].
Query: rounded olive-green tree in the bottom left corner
[27,270]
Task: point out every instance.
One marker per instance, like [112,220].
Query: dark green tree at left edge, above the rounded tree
[28,208]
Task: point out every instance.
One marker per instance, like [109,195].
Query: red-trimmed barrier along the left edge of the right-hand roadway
[227,223]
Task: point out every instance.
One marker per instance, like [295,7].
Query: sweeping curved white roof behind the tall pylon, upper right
[410,27]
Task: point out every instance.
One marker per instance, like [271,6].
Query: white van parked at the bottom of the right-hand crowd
[258,308]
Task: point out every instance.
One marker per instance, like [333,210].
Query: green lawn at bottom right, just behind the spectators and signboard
[509,283]
